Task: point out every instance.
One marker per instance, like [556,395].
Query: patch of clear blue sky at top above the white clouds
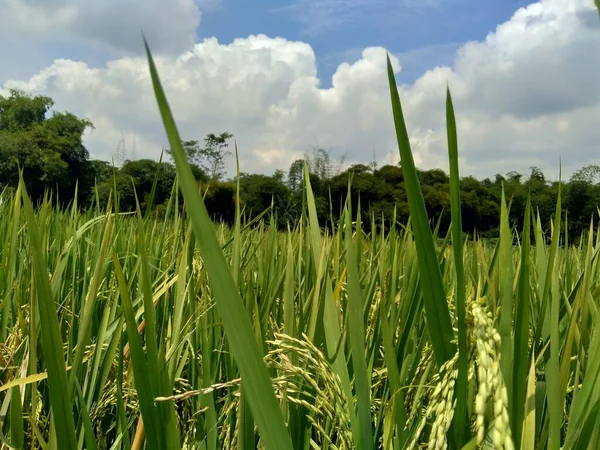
[424,36]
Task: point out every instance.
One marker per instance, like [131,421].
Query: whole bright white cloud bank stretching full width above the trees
[524,96]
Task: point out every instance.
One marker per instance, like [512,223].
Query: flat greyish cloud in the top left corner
[171,24]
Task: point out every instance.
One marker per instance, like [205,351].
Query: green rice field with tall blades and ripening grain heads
[124,331]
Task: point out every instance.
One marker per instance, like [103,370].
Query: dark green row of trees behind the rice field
[49,150]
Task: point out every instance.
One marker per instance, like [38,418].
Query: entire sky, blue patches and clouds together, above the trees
[288,76]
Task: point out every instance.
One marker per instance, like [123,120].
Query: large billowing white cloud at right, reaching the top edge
[525,95]
